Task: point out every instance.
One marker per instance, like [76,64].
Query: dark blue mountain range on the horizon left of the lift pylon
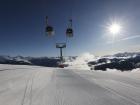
[39,61]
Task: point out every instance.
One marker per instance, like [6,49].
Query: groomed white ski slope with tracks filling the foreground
[53,86]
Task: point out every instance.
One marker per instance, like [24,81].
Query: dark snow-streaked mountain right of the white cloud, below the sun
[121,61]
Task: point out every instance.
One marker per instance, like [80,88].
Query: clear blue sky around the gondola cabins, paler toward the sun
[22,26]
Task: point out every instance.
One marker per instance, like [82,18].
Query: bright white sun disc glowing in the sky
[114,28]
